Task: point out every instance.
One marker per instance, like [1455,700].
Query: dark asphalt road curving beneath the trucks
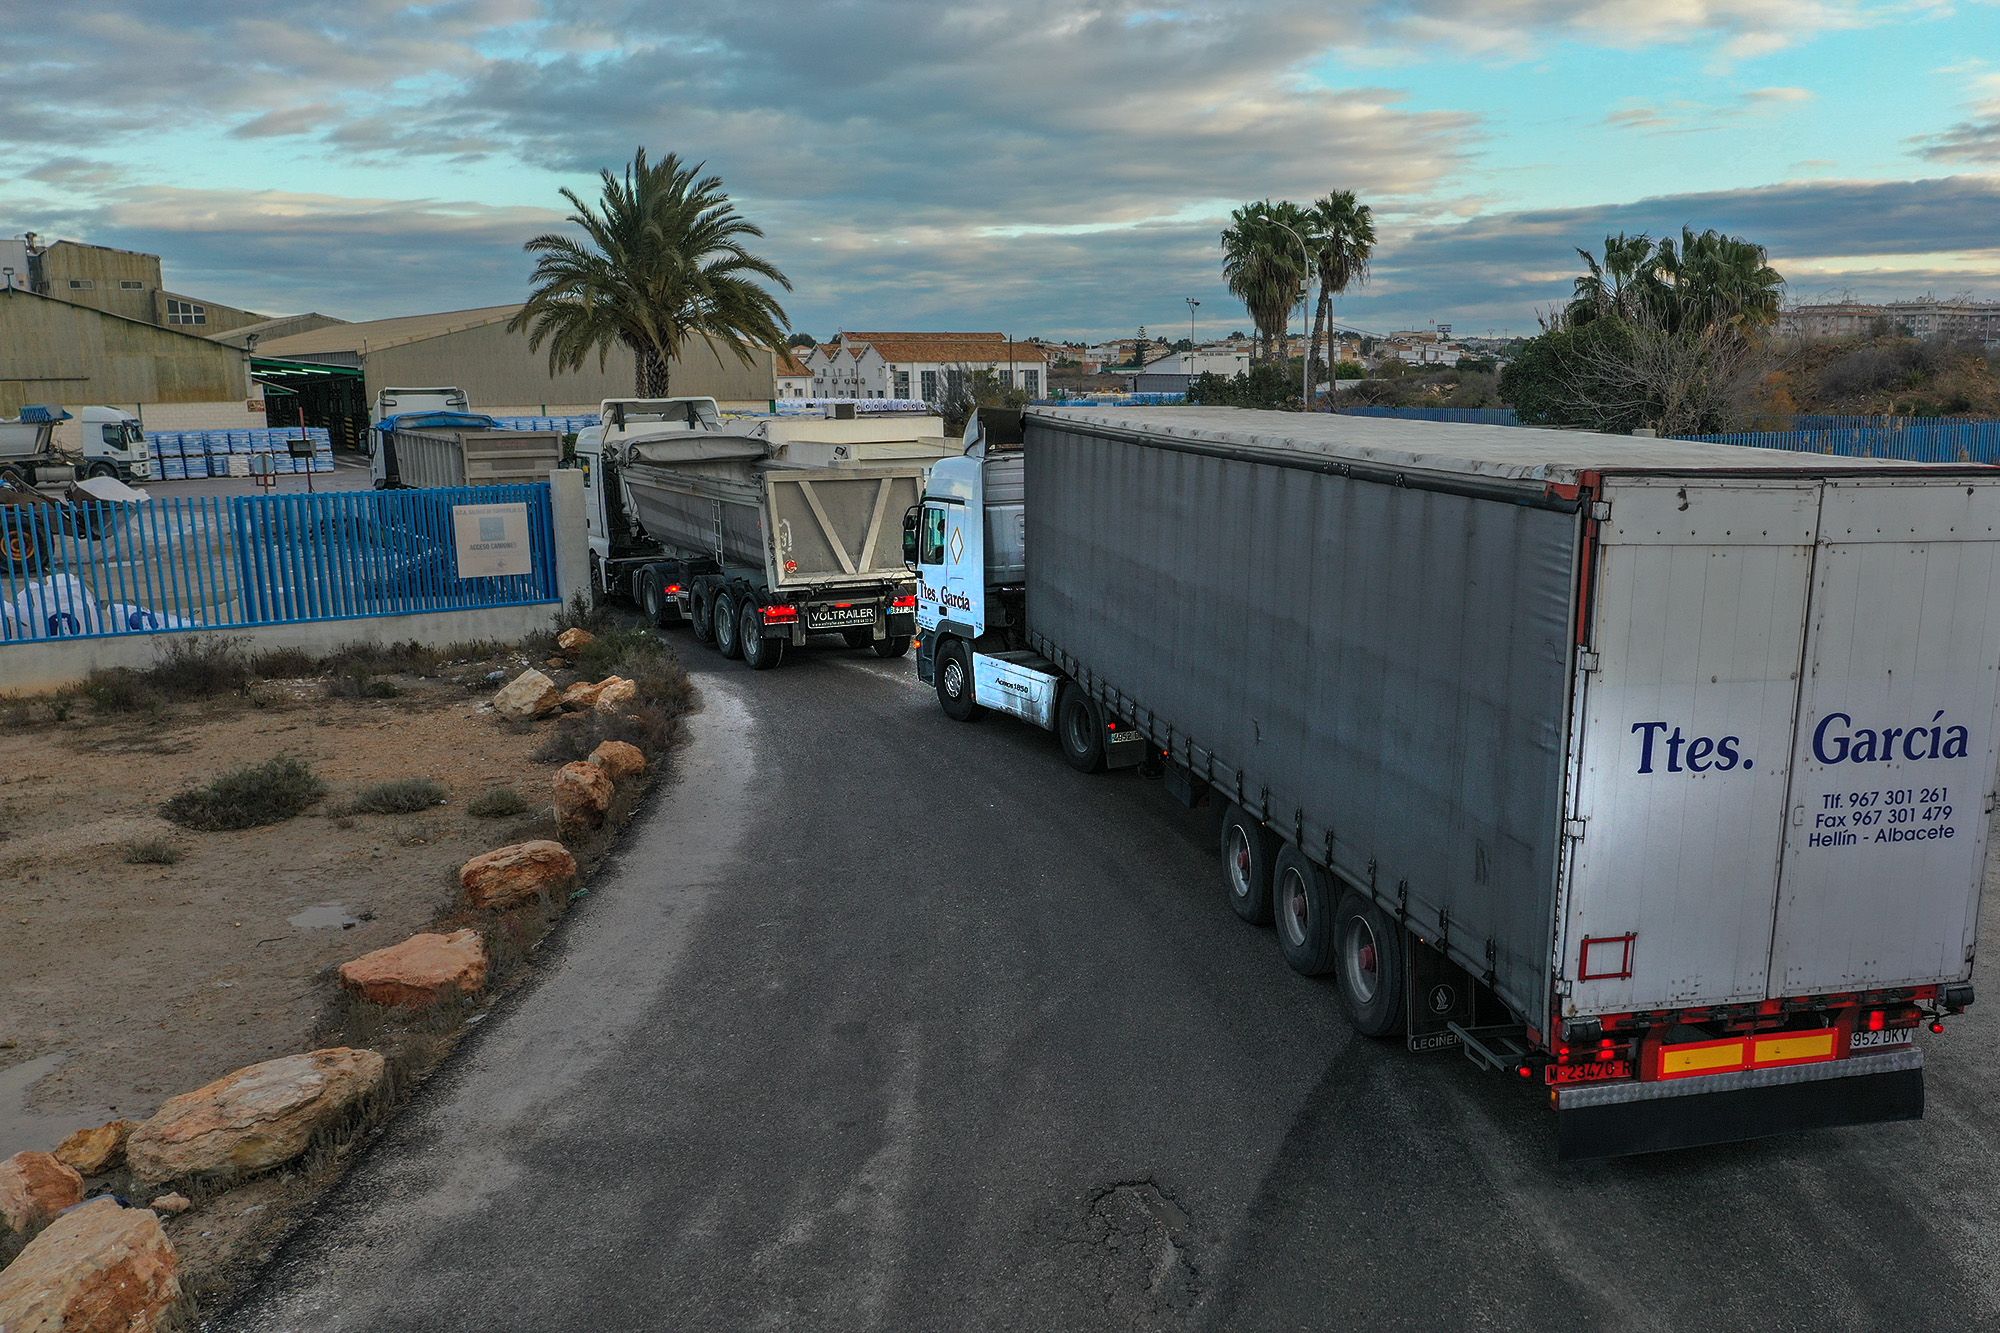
[885,1022]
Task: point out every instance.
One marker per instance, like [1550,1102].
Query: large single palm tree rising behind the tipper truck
[663,259]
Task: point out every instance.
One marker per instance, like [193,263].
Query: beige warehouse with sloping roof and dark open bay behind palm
[339,369]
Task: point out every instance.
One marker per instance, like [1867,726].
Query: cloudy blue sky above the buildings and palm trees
[1035,167]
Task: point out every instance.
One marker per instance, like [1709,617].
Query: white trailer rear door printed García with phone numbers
[1895,754]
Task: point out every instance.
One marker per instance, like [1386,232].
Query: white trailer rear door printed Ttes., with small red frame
[1683,742]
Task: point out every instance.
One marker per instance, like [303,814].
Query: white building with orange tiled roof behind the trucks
[921,365]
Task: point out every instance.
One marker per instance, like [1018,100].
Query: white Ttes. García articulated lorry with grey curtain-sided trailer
[1655,774]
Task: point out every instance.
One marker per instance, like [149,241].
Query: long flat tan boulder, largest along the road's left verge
[257,1118]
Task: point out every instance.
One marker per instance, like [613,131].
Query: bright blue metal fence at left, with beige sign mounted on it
[203,563]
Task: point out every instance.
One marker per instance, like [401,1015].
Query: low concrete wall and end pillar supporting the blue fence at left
[61,663]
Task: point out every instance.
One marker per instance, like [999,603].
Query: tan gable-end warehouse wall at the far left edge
[55,351]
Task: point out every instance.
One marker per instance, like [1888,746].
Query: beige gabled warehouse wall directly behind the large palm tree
[497,367]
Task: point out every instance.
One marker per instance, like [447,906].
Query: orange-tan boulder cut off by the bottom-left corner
[97,1270]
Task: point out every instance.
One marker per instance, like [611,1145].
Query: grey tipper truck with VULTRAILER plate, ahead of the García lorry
[715,527]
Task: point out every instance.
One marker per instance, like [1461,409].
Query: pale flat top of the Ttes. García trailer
[1509,453]
